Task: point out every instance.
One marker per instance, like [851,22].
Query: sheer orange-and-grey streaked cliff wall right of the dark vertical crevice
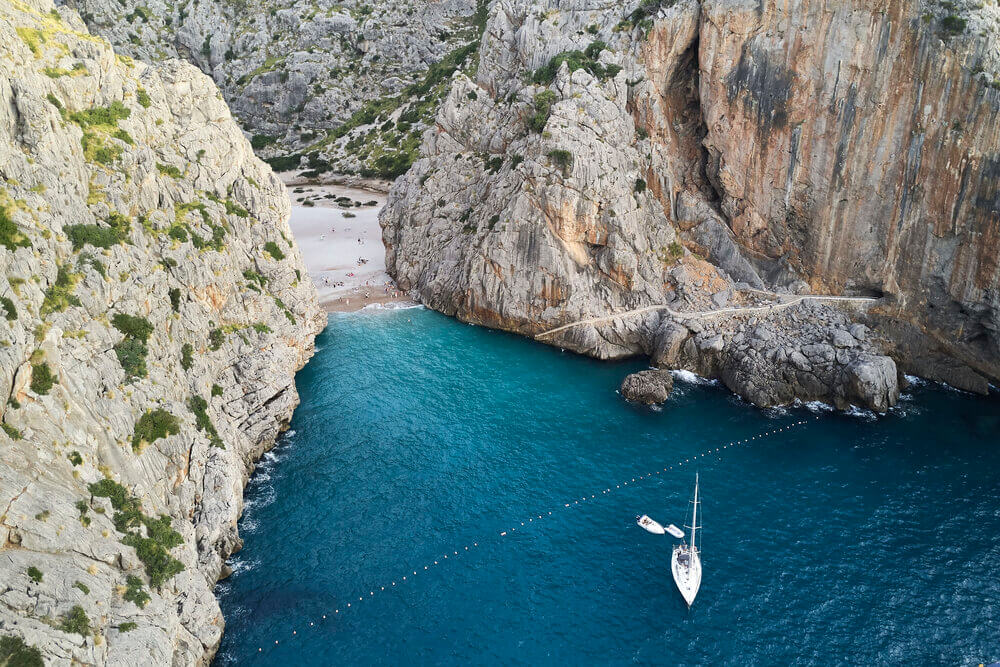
[860,142]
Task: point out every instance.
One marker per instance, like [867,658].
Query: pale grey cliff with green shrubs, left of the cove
[154,311]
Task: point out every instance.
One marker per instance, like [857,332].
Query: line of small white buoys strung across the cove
[465,549]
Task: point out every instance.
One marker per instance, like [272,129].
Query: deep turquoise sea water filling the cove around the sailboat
[847,539]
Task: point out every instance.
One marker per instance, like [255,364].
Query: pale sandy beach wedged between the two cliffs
[336,228]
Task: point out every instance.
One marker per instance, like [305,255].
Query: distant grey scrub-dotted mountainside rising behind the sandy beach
[293,69]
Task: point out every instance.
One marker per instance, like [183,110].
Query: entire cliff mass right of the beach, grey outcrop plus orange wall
[695,165]
